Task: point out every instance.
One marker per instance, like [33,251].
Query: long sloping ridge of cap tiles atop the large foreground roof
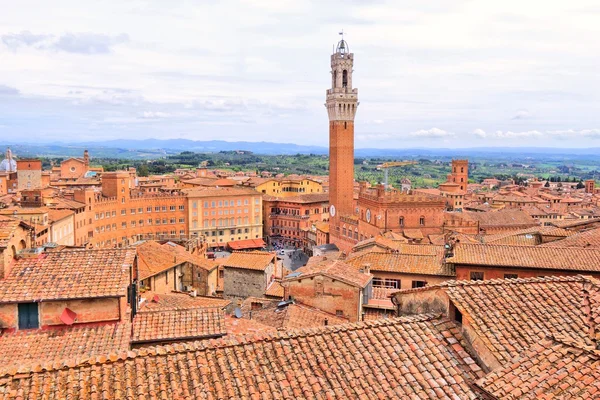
[219,343]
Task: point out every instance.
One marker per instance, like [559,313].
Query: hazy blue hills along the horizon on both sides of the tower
[156,148]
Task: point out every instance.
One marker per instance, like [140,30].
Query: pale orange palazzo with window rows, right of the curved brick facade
[224,214]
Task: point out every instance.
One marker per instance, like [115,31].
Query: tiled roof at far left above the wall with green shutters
[69,275]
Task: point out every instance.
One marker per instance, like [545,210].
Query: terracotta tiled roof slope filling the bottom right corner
[550,369]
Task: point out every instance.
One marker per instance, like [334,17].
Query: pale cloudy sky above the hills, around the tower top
[430,73]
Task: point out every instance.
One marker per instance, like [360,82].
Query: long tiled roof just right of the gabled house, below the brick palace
[401,263]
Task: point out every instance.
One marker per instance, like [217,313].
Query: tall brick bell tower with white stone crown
[342,101]
